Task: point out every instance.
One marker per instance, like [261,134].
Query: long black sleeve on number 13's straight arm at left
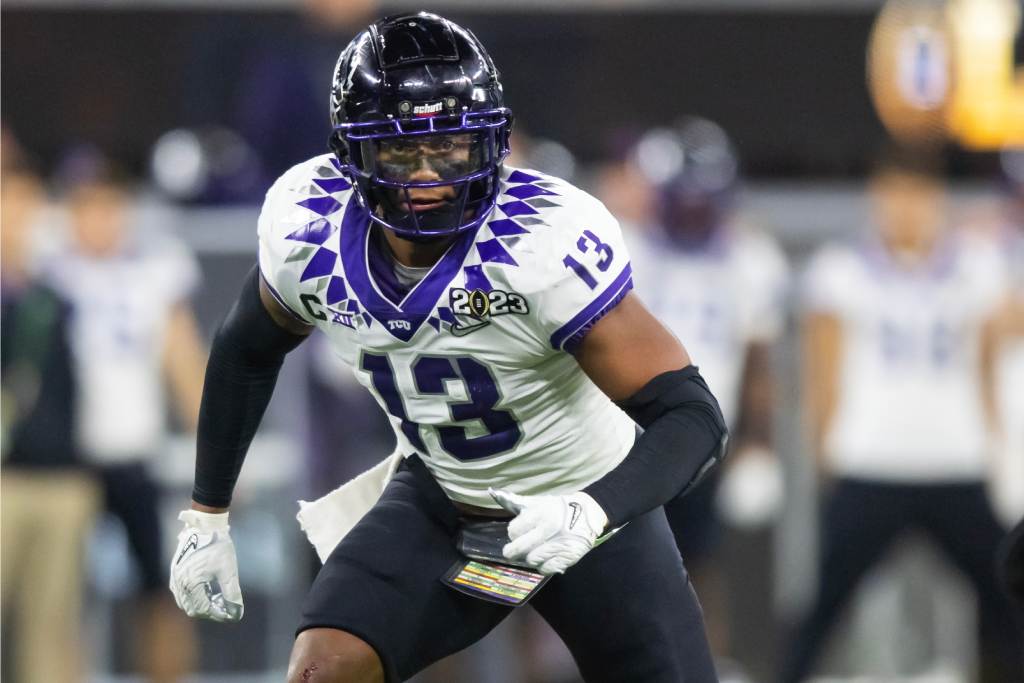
[245,359]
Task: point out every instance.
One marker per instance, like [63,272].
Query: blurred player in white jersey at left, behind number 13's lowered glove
[134,338]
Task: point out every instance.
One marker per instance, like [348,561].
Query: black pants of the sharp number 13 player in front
[626,611]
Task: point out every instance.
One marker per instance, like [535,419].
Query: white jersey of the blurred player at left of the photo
[120,309]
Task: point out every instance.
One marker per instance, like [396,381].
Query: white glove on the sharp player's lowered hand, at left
[204,570]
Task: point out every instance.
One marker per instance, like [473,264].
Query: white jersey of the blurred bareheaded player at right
[910,404]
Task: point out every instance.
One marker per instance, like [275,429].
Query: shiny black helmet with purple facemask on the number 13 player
[416,105]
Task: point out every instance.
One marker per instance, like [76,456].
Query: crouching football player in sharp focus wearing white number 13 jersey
[489,311]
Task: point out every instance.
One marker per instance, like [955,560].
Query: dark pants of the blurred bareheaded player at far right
[861,523]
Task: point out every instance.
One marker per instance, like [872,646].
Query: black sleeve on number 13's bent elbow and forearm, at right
[685,437]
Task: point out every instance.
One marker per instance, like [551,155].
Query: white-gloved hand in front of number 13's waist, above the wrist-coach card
[551,533]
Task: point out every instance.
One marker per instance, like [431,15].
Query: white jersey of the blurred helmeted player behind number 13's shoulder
[716,301]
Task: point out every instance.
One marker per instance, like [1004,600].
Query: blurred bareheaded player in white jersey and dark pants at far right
[900,404]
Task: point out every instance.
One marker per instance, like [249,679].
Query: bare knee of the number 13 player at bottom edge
[330,656]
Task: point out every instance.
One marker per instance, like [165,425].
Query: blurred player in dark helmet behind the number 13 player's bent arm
[718,283]
